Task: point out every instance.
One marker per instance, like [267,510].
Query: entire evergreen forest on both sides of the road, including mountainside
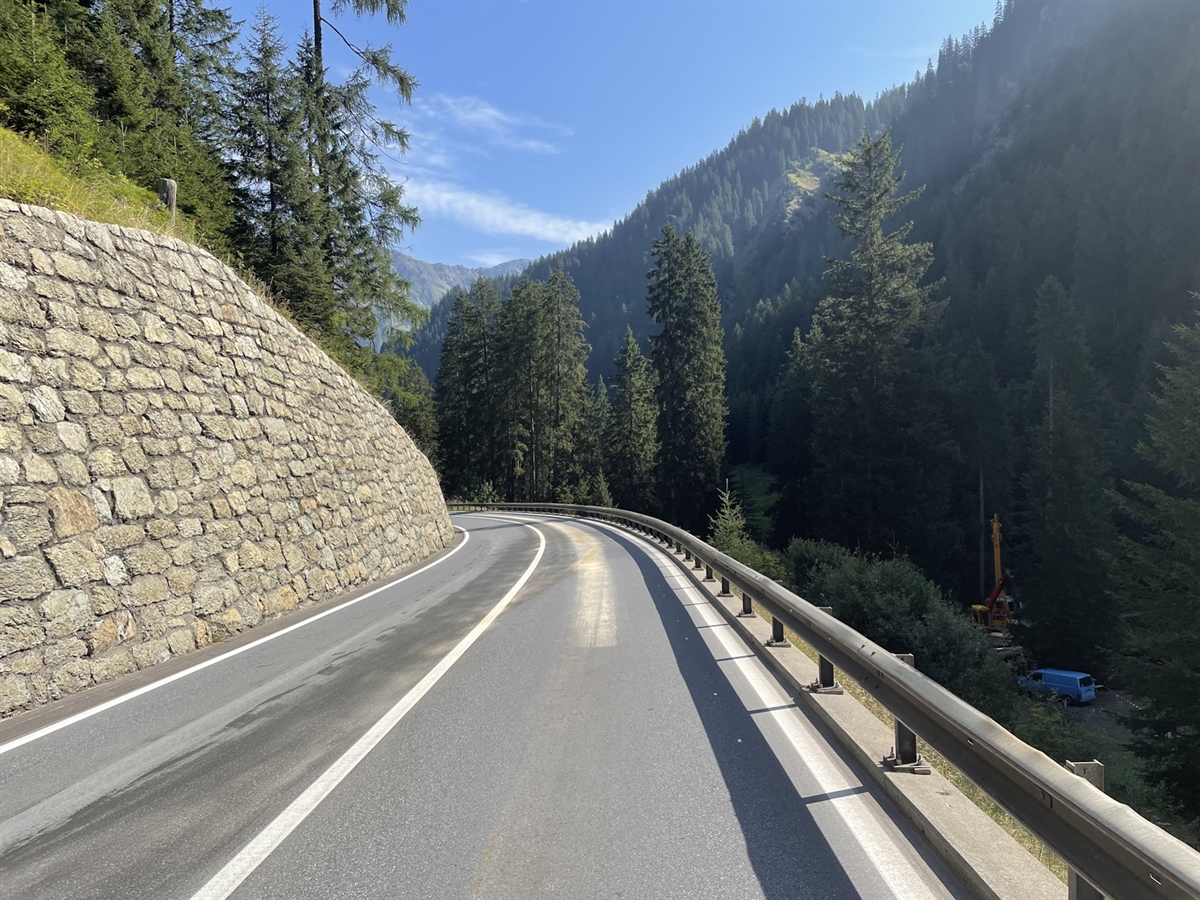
[837,347]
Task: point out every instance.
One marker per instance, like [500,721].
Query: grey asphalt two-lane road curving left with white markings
[549,710]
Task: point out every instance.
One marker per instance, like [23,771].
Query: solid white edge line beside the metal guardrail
[855,809]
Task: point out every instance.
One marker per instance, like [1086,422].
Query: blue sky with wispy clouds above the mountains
[539,123]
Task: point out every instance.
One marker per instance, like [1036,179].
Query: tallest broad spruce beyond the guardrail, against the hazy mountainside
[878,379]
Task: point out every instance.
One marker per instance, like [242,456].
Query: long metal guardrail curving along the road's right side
[1119,853]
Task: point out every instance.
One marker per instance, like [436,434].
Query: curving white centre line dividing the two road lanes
[238,869]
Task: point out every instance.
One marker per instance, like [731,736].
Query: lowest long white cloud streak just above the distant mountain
[496,214]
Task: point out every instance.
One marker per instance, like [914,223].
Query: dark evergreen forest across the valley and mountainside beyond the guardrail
[974,296]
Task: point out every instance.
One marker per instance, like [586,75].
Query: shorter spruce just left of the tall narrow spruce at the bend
[632,433]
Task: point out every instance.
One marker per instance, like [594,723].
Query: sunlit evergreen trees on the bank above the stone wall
[278,166]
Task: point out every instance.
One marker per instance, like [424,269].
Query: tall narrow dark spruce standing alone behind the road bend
[691,364]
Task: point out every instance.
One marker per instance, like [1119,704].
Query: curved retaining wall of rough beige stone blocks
[178,463]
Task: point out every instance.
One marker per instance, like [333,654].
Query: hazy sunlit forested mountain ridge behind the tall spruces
[758,205]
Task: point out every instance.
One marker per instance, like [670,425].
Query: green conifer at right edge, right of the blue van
[1159,583]
